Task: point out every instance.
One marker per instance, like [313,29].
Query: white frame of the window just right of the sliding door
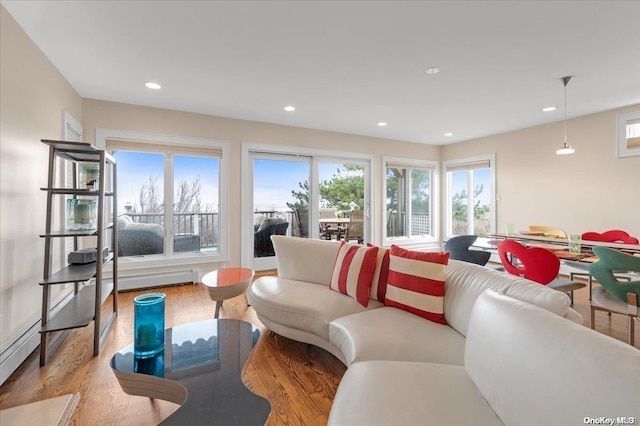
[434,202]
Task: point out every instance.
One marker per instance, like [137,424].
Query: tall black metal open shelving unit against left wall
[87,301]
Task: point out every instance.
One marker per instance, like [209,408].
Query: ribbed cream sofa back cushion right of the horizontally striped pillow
[466,281]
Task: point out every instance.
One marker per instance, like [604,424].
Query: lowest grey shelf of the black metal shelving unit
[79,312]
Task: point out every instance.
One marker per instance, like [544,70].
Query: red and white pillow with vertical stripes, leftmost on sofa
[353,271]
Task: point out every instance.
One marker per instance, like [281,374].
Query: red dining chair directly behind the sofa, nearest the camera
[536,264]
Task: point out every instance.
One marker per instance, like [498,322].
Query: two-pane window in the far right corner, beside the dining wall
[469,195]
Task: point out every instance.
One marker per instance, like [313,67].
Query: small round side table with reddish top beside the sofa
[226,283]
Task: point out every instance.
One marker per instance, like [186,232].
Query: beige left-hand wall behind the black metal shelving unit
[34,96]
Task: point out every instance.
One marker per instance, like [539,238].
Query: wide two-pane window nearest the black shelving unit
[170,193]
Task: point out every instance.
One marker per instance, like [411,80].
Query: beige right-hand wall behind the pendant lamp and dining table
[591,190]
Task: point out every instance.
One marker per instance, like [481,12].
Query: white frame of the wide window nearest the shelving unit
[181,144]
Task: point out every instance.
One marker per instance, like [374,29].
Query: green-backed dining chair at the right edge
[613,295]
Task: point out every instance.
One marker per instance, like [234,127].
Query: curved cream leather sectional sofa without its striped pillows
[512,351]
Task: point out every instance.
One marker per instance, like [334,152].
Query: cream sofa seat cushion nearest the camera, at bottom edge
[409,393]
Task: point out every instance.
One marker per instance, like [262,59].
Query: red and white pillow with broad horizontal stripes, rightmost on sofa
[416,282]
